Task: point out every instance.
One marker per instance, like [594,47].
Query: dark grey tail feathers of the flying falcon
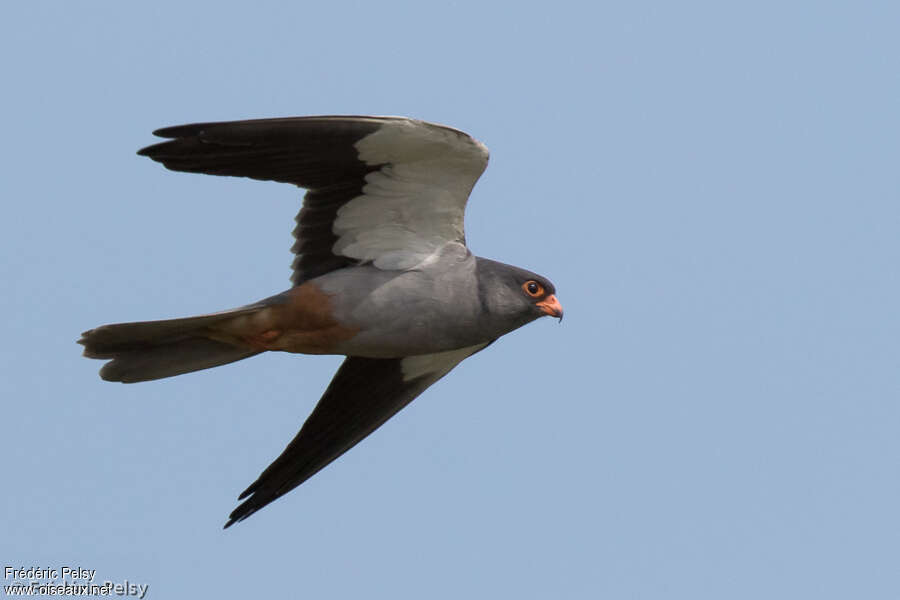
[155,349]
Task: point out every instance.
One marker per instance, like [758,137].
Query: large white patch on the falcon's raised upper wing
[414,204]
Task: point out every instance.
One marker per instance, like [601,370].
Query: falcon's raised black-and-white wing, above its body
[385,190]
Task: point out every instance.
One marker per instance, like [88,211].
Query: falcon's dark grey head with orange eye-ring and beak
[512,296]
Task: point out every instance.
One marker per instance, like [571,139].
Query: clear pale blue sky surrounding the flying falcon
[712,186]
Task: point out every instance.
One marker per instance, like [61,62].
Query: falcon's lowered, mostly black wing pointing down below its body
[364,393]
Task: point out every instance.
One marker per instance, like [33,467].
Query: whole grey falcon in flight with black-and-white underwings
[381,274]
